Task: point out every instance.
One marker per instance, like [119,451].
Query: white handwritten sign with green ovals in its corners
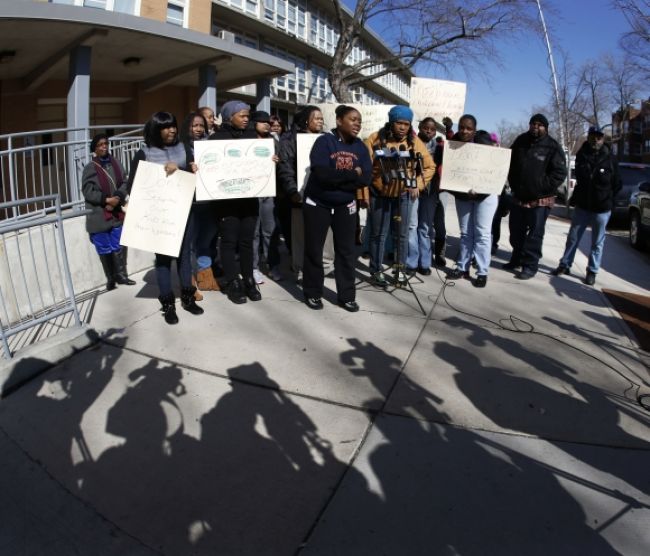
[234,169]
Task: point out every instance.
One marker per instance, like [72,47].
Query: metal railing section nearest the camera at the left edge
[35,280]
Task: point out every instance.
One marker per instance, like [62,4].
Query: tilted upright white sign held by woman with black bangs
[158,209]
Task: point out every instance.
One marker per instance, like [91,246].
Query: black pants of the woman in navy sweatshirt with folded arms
[343,222]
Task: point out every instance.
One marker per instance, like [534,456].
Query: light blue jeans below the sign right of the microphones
[475,219]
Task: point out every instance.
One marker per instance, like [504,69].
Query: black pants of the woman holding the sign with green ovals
[237,221]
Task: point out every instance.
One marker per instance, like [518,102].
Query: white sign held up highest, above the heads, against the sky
[437,98]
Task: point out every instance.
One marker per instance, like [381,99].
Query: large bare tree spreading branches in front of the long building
[446,33]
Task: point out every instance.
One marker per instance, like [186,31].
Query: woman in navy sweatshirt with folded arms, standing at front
[340,164]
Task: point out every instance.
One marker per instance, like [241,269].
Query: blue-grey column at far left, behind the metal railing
[78,116]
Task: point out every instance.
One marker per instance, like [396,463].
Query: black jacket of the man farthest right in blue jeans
[597,179]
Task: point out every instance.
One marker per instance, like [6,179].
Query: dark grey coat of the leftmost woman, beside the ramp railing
[100,220]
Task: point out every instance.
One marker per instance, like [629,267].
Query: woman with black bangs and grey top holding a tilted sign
[163,147]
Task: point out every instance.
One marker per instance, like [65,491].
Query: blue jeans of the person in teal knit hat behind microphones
[382,210]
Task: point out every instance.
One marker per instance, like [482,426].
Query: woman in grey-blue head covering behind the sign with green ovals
[237,218]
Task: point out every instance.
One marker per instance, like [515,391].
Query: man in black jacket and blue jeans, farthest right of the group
[598,181]
